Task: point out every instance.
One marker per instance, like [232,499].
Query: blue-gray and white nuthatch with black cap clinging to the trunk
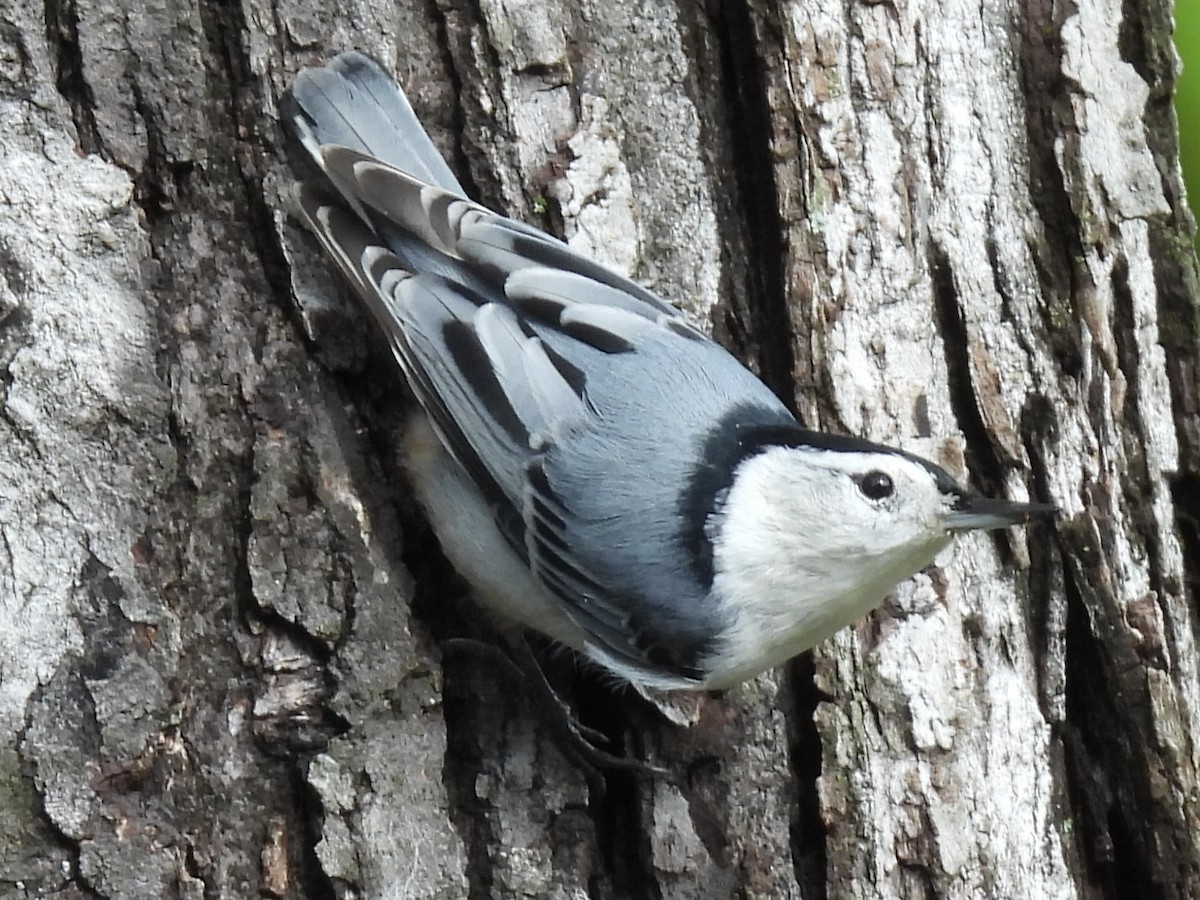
[598,469]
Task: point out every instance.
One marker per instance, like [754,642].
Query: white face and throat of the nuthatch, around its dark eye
[811,541]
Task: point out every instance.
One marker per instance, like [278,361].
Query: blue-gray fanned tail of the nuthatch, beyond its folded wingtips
[351,101]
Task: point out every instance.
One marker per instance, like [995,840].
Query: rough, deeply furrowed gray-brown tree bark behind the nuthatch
[955,226]
